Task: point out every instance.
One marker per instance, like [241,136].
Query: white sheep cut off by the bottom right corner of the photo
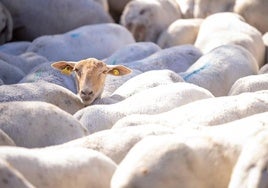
[251,167]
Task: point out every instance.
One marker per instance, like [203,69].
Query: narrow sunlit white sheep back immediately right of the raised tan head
[145,81]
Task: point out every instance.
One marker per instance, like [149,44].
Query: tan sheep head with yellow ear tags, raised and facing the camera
[90,76]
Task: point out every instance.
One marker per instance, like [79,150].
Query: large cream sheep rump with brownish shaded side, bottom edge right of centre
[169,161]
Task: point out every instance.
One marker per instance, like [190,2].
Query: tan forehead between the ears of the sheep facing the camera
[90,64]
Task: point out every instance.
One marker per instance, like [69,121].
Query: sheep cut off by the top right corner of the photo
[254,12]
